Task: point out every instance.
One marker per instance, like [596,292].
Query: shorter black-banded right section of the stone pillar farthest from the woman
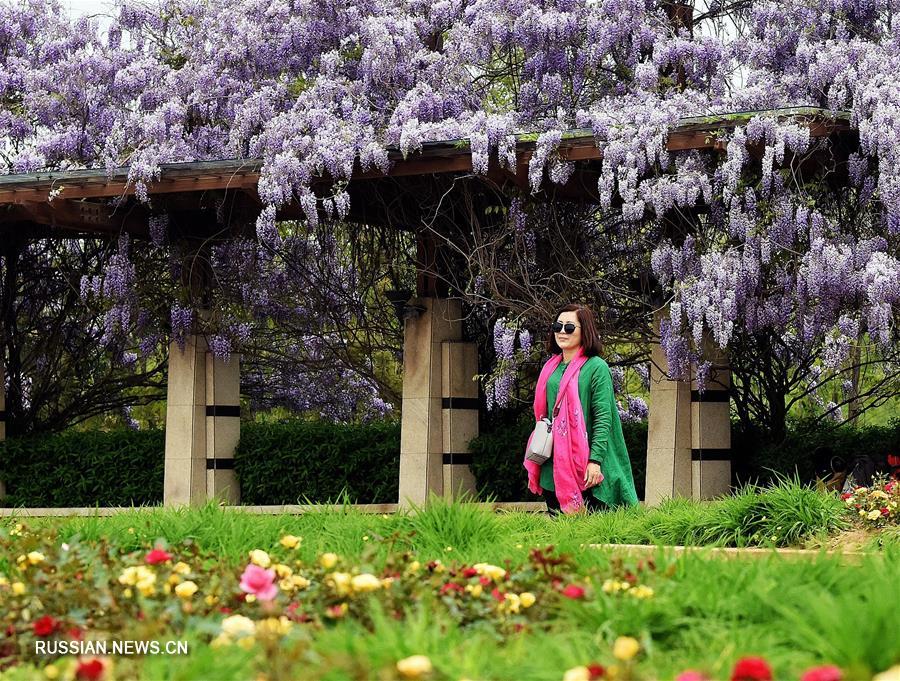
[223,427]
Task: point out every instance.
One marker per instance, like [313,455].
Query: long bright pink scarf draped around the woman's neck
[570,442]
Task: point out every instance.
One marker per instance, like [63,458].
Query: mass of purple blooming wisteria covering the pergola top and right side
[314,86]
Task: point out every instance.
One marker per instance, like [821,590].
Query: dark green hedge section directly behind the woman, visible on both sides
[497,460]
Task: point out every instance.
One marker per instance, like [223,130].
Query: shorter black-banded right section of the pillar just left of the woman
[459,415]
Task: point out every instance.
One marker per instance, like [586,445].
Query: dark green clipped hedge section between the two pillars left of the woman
[285,463]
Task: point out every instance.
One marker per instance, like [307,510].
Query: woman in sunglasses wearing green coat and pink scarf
[590,465]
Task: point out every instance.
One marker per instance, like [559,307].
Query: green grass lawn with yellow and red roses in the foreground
[478,593]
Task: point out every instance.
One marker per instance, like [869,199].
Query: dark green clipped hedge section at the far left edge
[92,468]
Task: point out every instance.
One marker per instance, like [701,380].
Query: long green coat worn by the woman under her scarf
[601,416]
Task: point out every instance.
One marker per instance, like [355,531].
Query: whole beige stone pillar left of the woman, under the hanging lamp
[433,458]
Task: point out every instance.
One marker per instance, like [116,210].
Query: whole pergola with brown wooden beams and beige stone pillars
[440,401]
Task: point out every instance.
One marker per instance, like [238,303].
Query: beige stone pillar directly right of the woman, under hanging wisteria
[689,434]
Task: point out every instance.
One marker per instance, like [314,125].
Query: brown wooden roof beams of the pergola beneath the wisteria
[95,200]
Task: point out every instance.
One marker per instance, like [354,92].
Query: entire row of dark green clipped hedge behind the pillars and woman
[292,461]
